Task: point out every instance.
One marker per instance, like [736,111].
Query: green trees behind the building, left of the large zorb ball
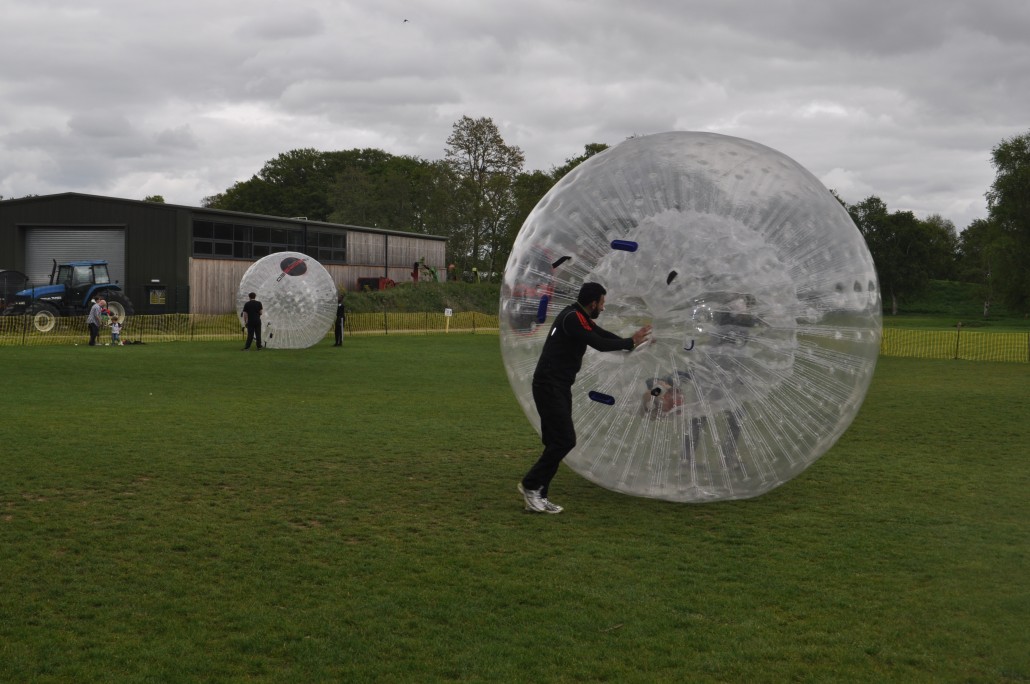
[478,196]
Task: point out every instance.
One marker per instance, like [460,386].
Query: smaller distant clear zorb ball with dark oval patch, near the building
[298,296]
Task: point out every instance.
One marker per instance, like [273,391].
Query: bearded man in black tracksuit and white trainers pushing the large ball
[573,331]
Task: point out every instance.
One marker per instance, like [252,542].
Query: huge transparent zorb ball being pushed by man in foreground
[763,296]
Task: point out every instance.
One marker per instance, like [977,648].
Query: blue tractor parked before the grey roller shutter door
[74,288]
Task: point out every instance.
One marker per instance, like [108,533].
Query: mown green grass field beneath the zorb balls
[184,512]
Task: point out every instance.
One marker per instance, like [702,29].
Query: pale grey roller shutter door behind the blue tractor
[43,246]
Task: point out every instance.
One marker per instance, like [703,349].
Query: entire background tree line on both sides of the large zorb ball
[480,194]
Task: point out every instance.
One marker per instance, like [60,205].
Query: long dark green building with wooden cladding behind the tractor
[173,259]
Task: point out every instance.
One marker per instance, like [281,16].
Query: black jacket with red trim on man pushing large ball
[572,333]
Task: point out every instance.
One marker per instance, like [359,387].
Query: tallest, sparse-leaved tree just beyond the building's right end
[486,208]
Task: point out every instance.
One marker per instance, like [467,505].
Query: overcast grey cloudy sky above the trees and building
[903,99]
